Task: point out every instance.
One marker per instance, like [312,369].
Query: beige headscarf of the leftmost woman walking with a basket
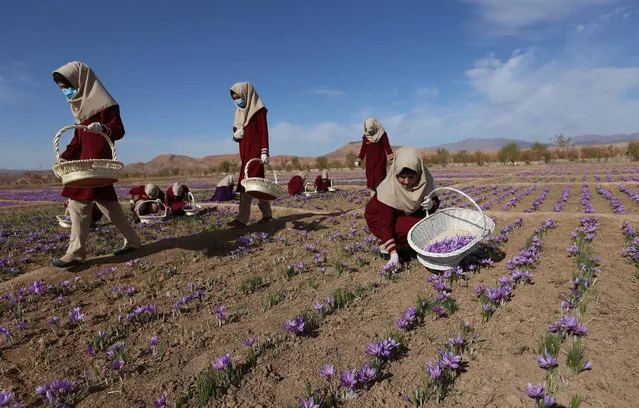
[92,97]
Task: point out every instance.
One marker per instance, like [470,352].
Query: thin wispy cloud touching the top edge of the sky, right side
[516,17]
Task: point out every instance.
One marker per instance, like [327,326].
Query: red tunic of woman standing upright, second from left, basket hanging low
[253,145]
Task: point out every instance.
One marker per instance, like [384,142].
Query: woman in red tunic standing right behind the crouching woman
[375,148]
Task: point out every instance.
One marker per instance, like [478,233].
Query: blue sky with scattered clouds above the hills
[433,71]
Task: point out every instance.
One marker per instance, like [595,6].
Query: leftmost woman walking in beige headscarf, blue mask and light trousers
[92,106]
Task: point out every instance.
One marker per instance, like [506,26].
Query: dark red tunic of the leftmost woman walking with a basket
[87,145]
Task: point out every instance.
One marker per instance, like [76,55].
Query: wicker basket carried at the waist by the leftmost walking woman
[89,173]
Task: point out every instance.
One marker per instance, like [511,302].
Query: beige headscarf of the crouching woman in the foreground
[392,193]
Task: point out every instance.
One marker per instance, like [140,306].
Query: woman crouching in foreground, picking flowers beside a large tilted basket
[401,201]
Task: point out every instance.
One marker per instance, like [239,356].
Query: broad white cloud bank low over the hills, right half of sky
[518,97]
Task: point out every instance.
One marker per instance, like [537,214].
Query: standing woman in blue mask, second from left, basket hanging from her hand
[250,130]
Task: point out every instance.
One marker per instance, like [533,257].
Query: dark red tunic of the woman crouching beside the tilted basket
[391,226]
